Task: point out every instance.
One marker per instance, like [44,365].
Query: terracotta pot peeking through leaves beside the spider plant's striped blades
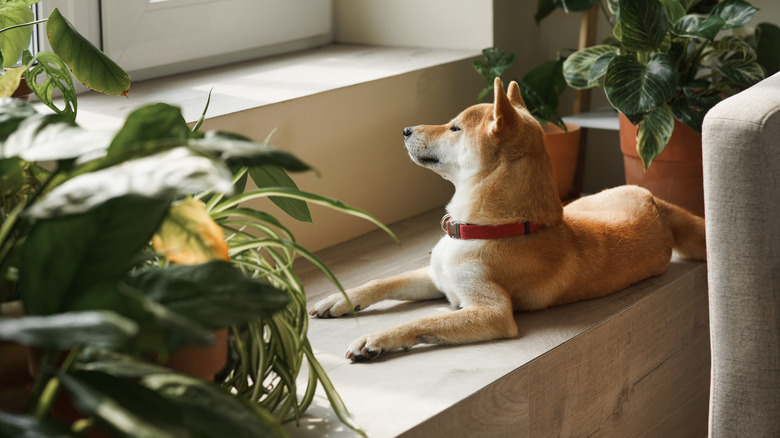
[203,362]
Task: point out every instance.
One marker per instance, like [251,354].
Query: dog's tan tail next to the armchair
[687,229]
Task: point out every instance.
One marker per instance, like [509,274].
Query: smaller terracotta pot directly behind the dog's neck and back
[563,147]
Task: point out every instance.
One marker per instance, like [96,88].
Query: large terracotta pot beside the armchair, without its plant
[675,175]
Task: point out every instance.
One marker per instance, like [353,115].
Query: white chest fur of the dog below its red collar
[452,271]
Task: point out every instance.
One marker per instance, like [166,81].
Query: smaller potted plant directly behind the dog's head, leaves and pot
[540,87]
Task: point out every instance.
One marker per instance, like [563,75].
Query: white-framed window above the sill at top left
[150,38]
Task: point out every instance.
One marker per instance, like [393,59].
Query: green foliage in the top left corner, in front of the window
[49,71]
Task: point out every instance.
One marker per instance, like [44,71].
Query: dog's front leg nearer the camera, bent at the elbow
[491,318]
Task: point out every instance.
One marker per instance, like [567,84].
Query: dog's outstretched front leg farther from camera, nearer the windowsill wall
[413,285]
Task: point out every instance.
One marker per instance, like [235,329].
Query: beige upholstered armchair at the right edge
[741,140]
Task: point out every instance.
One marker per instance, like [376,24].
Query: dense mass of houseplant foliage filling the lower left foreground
[118,254]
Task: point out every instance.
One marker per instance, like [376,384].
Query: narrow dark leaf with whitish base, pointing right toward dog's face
[238,150]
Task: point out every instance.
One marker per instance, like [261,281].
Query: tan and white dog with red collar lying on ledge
[510,245]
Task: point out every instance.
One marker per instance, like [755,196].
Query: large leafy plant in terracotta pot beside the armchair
[664,68]
